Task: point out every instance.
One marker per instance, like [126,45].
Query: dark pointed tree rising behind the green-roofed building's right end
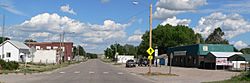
[216,37]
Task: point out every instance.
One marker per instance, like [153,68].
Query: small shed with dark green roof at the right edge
[240,61]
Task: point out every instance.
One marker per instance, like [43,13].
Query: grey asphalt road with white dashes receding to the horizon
[92,71]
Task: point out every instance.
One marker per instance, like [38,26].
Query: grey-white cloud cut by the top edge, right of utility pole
[170,8]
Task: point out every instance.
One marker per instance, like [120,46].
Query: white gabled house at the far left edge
[14,51]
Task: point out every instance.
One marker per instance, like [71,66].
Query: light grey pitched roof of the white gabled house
[17,44]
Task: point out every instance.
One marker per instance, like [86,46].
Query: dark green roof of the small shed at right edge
[240,57]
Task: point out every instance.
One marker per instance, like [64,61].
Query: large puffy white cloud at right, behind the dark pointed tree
[232,24]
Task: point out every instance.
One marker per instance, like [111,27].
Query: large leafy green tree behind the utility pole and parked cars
[168,36]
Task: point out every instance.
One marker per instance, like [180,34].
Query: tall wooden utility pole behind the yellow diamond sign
[150,37]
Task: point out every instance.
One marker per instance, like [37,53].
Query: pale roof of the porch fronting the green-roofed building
[224,54]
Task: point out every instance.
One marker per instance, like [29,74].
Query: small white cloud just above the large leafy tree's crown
[174,22]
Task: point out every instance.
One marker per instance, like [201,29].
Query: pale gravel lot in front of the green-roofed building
[185,75]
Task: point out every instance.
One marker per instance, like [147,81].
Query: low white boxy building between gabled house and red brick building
[45,56]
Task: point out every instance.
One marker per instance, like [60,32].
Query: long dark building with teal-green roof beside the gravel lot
[194,55]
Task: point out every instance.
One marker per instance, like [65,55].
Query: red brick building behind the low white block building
[66,48]
